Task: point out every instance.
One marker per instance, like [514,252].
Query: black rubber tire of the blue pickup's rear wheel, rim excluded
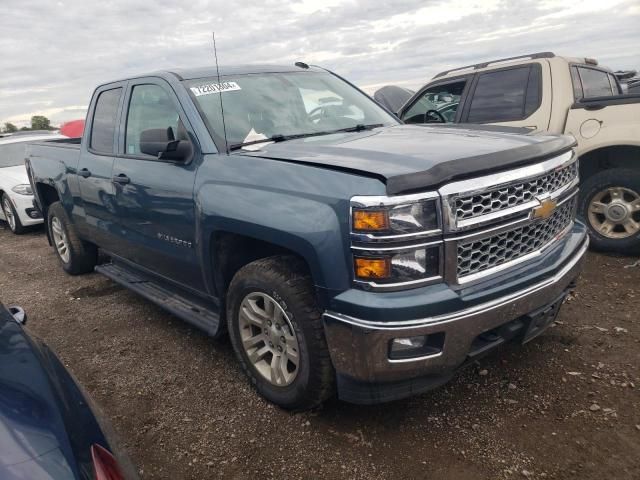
[83,256]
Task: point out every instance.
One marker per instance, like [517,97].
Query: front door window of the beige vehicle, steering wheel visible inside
[436,103]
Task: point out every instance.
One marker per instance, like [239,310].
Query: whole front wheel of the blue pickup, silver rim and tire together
[277,333]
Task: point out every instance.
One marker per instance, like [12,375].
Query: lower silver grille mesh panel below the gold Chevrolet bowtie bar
[479,255]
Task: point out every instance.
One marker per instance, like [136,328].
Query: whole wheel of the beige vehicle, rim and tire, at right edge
[610,205]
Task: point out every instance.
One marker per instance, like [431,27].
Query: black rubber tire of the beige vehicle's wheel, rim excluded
[590,191]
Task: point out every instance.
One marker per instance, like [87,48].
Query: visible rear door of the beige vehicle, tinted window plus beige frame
[517,96]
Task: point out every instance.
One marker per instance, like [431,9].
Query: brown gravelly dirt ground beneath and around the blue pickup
[566,405]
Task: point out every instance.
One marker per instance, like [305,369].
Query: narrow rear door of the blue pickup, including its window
[95,165]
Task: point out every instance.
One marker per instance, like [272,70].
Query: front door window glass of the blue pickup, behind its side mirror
[151,108]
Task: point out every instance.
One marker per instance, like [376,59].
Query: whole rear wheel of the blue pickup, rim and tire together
[75,255]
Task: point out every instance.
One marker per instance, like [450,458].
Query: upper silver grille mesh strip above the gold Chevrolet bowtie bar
[514,194]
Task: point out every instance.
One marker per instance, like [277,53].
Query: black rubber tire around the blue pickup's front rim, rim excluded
[285,280]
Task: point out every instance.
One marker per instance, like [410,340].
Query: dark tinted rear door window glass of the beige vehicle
[506,95]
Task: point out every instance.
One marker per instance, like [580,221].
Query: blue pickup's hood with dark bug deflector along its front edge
[413,157]
